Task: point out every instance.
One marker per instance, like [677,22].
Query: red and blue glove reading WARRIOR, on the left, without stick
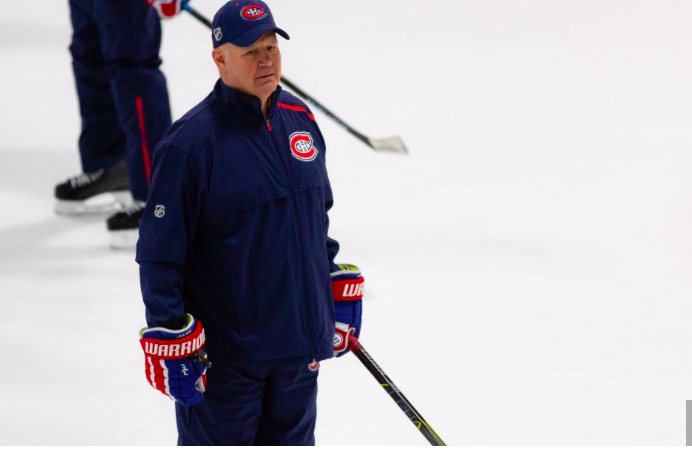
[175,361]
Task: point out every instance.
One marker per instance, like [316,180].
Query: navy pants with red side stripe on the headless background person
[123,98]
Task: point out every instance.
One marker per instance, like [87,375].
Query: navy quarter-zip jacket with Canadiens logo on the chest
[235,230]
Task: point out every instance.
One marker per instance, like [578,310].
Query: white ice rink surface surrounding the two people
[529,265]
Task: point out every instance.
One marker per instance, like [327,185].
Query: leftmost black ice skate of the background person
[103,191]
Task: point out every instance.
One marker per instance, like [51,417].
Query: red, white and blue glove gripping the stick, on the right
[347,288]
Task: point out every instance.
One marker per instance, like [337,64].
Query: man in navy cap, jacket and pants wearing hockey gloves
[236,266]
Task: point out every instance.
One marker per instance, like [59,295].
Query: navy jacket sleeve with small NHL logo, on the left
[176,195]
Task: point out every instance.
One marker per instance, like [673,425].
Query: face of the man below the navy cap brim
[255,70]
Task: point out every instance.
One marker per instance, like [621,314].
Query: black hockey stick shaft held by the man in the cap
[398,397]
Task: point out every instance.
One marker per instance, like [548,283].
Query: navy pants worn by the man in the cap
[247,406]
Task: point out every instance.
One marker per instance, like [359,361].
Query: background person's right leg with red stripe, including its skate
[130,38]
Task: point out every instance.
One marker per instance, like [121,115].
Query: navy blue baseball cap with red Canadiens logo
[242,22]
